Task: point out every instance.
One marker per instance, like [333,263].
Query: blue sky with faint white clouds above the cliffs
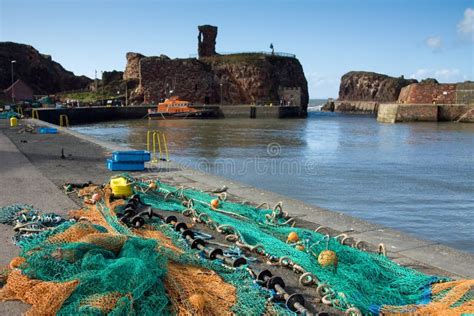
[413,38]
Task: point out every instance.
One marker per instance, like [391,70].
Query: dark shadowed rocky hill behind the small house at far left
[39,71]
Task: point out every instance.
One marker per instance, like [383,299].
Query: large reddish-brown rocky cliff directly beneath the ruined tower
[219,79]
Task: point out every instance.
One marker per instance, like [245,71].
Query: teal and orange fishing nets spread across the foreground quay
[97,265]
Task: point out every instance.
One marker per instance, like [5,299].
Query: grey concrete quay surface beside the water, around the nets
[32,171]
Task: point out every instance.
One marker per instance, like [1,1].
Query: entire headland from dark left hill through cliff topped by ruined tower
[260,78]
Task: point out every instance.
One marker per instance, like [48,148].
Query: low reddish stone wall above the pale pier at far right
[428,93]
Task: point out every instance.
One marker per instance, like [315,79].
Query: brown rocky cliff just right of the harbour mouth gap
[371,86]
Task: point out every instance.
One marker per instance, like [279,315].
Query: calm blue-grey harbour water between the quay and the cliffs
[418,178]
